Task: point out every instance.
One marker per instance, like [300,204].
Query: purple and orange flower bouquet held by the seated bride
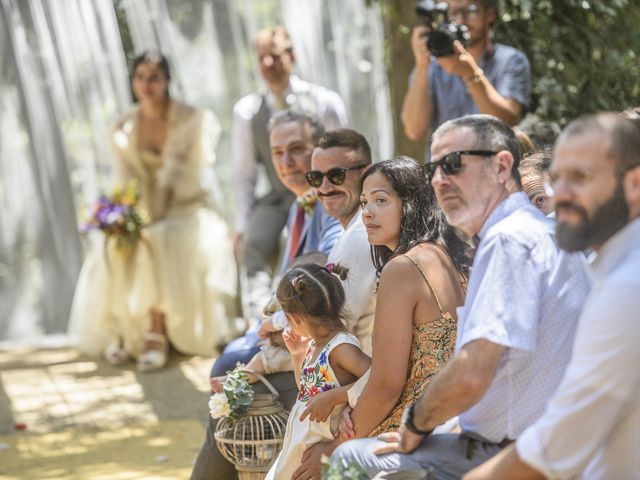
[118,215]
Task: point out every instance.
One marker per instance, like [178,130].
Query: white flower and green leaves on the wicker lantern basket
[234,401]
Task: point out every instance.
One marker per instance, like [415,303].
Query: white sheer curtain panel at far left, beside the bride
[63,80]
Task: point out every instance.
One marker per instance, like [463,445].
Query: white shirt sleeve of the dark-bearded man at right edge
[599,389]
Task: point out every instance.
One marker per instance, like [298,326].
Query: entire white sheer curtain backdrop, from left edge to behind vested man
[64,82]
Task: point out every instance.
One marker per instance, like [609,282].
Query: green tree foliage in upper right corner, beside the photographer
[584,54]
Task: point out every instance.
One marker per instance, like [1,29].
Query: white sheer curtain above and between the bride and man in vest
[338,43]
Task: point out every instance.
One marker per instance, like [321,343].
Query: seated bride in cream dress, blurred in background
[177,285]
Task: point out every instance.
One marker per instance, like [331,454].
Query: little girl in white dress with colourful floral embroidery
[326,358]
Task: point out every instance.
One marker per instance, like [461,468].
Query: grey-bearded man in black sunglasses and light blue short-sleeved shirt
[519,318]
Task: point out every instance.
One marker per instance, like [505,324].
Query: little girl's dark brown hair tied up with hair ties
[314,293]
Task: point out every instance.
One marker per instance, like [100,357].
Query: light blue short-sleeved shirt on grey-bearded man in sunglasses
[525,294]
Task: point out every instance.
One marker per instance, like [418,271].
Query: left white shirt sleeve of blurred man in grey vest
[245,170]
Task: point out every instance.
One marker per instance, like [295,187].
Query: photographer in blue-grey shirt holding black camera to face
[458,70]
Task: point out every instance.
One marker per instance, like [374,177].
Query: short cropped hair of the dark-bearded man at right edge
[622,133]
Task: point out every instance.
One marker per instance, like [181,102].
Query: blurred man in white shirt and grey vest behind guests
[262,212]
